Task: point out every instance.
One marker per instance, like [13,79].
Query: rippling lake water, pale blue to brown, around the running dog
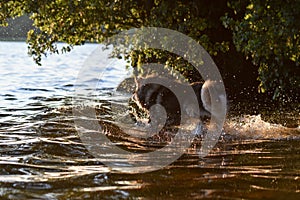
[42,156]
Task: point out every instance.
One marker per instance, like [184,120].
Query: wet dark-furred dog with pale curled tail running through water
[155,97]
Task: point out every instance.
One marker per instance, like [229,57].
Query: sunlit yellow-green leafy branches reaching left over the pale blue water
[76,22]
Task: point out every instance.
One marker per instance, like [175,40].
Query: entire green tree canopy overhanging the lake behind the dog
[265,33]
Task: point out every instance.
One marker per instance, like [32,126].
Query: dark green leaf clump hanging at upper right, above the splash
[268,32]
